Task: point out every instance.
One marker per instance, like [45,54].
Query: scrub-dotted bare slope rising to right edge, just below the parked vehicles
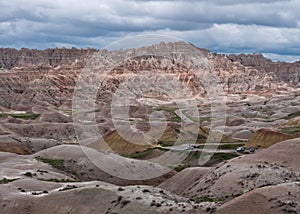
[275,165]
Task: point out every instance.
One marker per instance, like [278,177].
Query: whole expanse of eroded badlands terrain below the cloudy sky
[44,169]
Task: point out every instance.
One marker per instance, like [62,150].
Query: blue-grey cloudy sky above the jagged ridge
[271,27]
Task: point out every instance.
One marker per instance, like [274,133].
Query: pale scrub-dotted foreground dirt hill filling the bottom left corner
[32,196]
